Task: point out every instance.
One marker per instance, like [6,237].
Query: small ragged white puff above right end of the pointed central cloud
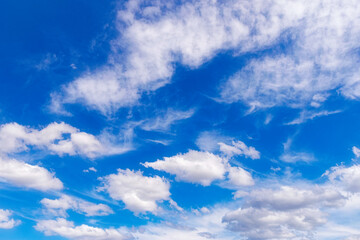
[239,148]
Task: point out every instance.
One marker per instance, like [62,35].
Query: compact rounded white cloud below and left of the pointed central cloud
[138,192]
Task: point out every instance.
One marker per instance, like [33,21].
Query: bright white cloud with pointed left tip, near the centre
[193,166]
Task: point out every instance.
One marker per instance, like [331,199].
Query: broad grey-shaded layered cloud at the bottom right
[283,213]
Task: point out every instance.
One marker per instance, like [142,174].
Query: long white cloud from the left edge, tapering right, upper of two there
[58,138]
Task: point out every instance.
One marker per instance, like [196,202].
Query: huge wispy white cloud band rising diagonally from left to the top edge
[191,34]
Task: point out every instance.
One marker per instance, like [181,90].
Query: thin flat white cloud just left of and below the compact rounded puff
[61,205]
